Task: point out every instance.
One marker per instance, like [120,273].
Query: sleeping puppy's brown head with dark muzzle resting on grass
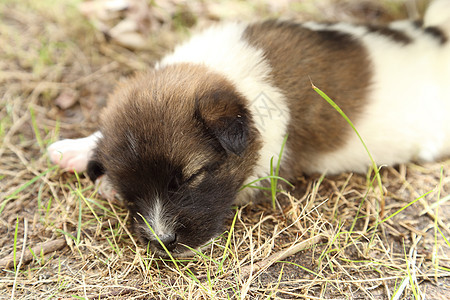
[177,145]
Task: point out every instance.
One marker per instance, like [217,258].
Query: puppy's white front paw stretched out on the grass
[73,154]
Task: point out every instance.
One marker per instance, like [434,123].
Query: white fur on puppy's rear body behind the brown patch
[408,104]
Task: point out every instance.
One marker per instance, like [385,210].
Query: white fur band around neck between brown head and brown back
[223,49]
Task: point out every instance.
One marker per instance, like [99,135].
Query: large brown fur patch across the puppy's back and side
[332,61]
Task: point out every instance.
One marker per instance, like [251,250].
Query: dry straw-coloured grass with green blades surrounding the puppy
[325,239]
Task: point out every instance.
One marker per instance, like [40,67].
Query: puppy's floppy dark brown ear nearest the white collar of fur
[224,113]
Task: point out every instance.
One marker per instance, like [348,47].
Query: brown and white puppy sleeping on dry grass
[178,142]
